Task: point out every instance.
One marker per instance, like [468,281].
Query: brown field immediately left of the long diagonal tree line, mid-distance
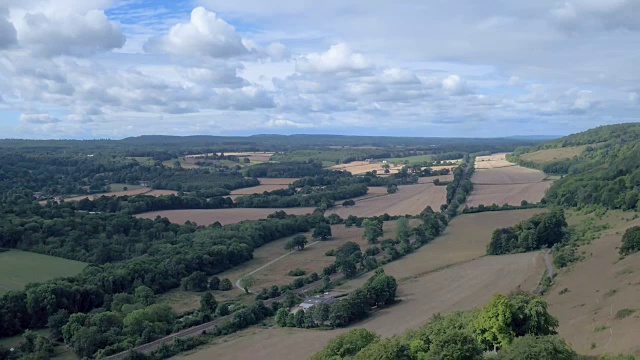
[410,199]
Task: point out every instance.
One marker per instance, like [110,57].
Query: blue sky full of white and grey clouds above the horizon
[465,68]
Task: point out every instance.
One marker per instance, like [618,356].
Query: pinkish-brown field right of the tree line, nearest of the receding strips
[507,194]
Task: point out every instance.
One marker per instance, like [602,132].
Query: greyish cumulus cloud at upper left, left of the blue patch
[68,33]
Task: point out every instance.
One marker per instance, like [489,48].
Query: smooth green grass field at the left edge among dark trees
[18,268]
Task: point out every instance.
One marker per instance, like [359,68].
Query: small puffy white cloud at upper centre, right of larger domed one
[339,58]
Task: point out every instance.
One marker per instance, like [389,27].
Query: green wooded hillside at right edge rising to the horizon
[606,172]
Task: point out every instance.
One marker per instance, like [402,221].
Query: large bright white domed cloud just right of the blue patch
[205,34]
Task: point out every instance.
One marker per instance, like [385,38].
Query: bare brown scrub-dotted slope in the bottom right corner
[597,288]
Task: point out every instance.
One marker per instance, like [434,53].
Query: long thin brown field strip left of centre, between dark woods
[224,216]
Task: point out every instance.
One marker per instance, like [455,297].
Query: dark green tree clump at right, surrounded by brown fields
[542,230]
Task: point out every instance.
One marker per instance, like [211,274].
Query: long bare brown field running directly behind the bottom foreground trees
[457,288]
